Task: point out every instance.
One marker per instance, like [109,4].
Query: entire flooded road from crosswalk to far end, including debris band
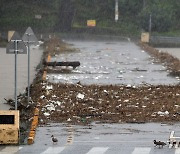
[141,92]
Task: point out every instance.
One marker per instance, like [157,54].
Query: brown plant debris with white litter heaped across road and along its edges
[83,104]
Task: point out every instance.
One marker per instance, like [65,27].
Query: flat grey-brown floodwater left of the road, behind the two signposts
[7,70]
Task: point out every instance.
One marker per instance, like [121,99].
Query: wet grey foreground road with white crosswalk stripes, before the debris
[99,139]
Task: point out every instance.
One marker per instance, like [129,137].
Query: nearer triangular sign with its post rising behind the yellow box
[16,46]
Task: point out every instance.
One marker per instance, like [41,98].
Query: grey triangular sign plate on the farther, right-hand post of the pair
[29,37]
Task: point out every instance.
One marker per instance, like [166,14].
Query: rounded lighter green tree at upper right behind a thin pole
[162,16]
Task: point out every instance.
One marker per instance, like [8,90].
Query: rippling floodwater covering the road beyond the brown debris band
[112,62]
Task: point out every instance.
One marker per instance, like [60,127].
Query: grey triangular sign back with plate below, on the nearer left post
[16,40]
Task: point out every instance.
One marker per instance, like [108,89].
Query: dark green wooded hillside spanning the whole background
[61,15]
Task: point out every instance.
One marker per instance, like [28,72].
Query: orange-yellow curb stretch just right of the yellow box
[33,127]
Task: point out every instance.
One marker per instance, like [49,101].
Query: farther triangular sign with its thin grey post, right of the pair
[29,38]
